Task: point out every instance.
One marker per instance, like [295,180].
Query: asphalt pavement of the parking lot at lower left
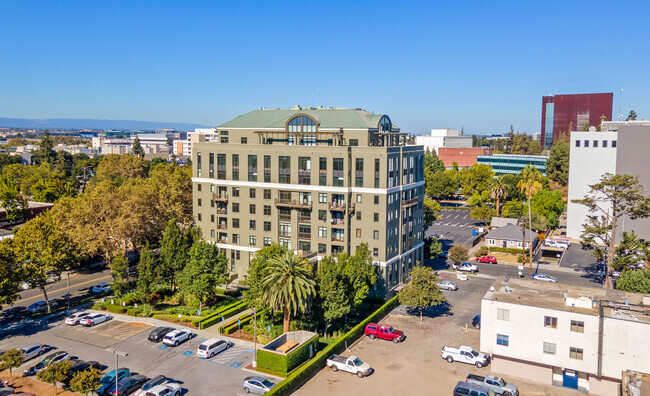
[222,374]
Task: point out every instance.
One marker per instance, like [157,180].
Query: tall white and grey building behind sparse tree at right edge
[620,148]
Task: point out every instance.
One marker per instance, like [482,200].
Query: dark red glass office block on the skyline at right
[562,114]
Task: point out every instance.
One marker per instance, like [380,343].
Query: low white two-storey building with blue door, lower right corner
[576,337]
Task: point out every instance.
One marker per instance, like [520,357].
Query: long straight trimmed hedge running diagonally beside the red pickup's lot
[302,373]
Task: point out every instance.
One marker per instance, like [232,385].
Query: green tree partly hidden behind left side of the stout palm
[257,272]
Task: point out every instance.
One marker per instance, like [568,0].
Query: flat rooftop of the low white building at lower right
[562,297]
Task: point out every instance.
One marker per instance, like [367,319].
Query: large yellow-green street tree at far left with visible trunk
[42,246]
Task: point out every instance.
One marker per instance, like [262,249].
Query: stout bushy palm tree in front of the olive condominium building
[289,285]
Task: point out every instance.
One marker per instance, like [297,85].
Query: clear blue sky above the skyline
[483,65]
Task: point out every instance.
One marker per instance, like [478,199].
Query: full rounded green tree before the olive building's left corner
[207,268]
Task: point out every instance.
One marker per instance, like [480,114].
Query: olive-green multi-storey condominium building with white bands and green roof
[319,181]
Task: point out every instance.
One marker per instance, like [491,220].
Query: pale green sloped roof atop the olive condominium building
[327,118]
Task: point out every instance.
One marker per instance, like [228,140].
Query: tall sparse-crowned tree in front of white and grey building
[613,197]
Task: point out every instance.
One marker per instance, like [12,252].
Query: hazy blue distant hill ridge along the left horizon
[69,123]
